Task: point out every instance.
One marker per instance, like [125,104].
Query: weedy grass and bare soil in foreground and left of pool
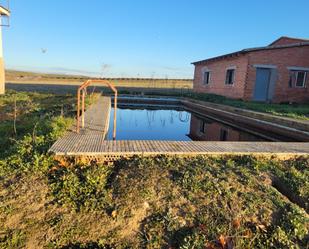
[161,202]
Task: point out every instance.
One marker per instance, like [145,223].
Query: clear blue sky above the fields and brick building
[141,38]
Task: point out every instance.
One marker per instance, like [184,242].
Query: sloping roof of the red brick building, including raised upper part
[281,43]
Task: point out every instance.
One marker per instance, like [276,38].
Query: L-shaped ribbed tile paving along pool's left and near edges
[91,143]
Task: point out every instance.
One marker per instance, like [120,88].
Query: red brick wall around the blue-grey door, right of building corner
[282,58]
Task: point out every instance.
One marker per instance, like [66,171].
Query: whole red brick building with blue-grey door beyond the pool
[275,73]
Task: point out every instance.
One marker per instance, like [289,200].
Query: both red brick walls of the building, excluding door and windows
[245,74]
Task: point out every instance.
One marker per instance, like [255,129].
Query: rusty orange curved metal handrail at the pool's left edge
[83,88]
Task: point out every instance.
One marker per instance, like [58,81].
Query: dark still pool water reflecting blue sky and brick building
[172,124]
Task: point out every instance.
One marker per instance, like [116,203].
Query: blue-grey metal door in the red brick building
[262,84]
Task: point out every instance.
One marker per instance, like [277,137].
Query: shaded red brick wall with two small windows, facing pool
[217,79]
